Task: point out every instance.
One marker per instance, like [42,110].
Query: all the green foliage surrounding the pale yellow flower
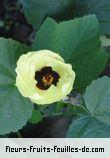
[72,29]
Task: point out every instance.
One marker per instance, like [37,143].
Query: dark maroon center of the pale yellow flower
[46,77]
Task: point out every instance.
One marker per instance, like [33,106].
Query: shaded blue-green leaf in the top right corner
[99,7]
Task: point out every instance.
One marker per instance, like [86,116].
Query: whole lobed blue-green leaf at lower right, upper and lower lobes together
[96,123]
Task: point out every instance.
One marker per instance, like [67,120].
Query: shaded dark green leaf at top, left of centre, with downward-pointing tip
[36,11]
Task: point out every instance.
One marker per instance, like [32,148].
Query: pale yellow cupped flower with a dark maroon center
[44,77]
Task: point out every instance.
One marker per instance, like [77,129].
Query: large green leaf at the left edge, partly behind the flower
[14,109]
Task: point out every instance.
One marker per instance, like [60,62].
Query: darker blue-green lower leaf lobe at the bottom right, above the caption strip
[88,127]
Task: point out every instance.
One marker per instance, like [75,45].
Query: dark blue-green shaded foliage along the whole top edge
[36,11]
